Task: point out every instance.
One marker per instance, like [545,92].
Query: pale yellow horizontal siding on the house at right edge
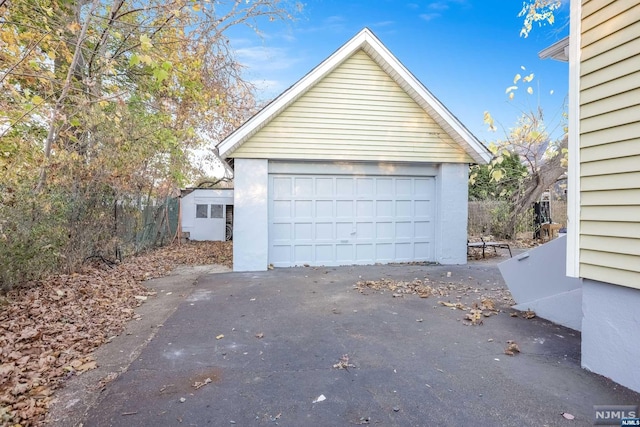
[610,142]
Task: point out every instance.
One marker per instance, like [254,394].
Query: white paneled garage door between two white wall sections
[342,219]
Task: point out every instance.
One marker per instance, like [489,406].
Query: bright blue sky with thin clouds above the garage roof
[466,52]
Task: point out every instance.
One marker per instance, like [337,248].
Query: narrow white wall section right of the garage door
[453,205]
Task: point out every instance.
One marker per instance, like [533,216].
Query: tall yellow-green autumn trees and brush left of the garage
[120,93]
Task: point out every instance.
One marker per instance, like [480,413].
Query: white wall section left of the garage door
[250,222]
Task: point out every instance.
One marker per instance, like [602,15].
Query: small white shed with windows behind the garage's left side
[206,213]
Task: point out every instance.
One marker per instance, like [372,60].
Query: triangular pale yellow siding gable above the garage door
[357,112]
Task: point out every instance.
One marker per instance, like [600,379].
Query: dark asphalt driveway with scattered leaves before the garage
[268,348]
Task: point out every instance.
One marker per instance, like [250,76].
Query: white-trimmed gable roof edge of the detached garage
[368,42]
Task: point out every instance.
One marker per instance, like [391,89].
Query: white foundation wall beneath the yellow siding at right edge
[611,332]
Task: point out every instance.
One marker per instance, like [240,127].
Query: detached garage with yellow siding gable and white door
[356,163]
